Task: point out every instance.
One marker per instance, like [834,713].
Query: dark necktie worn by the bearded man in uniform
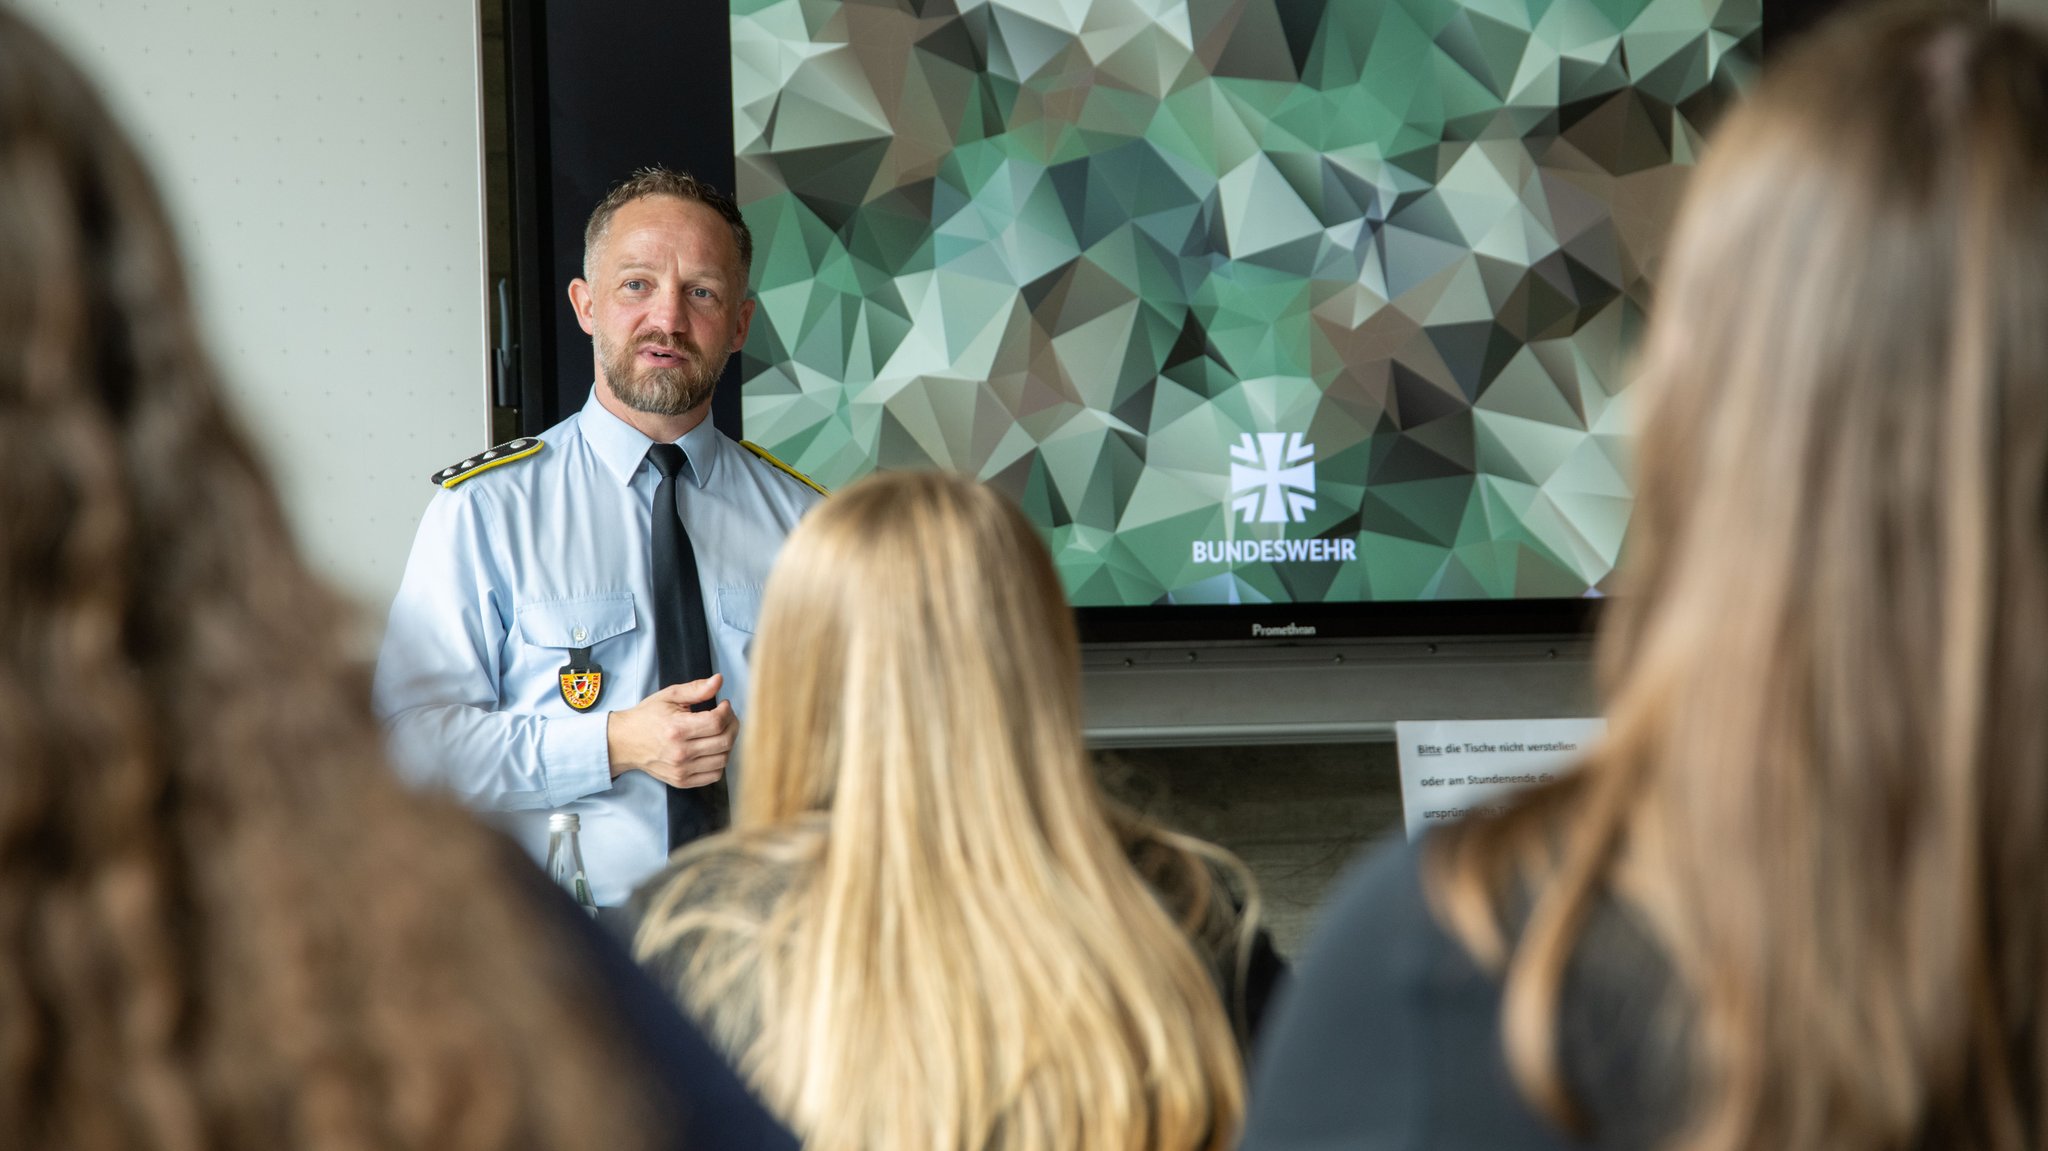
[681,640]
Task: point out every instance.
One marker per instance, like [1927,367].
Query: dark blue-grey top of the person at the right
[1392,1033]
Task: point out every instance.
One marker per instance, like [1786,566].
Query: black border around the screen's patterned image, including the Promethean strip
[574,132]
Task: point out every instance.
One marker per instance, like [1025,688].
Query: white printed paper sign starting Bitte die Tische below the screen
[1459,767]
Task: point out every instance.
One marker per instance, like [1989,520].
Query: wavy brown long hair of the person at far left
[222,923]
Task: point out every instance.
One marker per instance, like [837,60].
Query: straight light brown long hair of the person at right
[1826,781]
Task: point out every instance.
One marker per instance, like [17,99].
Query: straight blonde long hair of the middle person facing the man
[966,957]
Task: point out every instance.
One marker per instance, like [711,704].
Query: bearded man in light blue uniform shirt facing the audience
[542,654]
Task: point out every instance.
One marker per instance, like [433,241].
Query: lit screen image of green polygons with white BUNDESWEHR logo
[1287,304]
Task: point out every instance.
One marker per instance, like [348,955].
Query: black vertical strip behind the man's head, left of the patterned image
[611,89]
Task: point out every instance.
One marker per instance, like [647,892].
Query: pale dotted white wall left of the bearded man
[325,171]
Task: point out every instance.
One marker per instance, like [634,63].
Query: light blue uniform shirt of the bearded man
[523,564]
